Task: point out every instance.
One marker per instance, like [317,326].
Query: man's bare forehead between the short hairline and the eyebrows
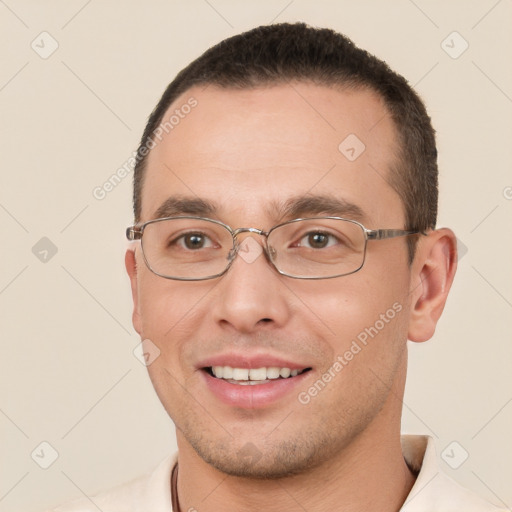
[248,151]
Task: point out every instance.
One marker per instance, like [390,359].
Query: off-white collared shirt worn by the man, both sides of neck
[433,491]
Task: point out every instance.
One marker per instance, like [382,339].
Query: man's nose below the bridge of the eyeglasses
[251,296]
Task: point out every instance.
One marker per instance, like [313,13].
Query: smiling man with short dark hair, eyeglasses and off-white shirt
[284,251]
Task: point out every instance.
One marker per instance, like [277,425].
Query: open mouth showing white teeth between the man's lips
[252,376]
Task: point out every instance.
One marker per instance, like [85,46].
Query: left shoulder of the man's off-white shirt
[148,492]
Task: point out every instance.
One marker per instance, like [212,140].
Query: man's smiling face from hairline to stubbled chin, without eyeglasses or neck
[249,154]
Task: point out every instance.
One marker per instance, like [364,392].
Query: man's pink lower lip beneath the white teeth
[250,396]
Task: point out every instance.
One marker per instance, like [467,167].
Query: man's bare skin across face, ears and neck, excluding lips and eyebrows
[243,150]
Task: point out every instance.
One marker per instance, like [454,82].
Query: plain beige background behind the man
[69,121]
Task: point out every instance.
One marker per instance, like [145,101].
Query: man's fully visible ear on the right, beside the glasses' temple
[433,270]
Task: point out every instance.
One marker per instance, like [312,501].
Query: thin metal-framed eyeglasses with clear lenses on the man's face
[196,248]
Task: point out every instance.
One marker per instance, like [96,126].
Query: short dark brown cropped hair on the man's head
[275,54]
